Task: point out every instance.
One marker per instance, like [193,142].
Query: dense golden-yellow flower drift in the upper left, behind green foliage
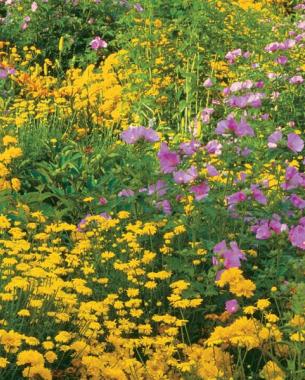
[103,96]
